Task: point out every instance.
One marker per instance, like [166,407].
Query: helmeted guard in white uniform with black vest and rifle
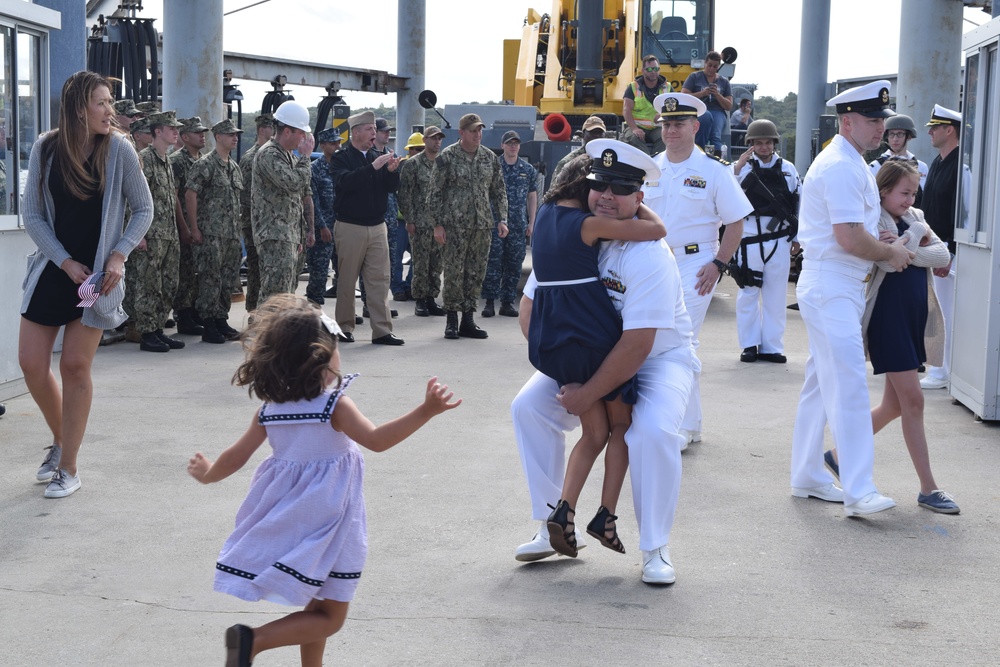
[772,185]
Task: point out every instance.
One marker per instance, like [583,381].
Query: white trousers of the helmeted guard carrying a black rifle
[760,311]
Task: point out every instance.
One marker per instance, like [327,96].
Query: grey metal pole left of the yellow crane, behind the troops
[410,47]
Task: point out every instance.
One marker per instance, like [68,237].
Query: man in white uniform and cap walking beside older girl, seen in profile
[838,221]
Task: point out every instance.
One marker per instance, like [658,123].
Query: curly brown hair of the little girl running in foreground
[288,351]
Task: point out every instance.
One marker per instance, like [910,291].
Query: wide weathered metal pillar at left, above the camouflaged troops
[192,59]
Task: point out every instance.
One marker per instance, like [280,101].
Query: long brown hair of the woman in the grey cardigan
[69,140]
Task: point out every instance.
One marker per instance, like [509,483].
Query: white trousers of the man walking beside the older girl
[836,385]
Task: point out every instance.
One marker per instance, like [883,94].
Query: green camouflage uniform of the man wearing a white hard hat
[280,181]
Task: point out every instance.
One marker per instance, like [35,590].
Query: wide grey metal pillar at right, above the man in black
[930,63]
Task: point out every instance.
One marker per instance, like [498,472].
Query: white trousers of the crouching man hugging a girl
[654,445]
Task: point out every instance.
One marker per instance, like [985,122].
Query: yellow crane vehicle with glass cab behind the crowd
[578,59]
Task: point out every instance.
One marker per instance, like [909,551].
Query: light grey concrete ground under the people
[121,572]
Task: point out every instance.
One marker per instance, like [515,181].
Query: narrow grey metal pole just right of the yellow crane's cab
[814,54]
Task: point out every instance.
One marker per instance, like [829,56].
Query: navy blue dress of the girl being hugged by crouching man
[573,327]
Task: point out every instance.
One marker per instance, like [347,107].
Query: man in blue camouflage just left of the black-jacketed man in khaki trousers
[323,197]
